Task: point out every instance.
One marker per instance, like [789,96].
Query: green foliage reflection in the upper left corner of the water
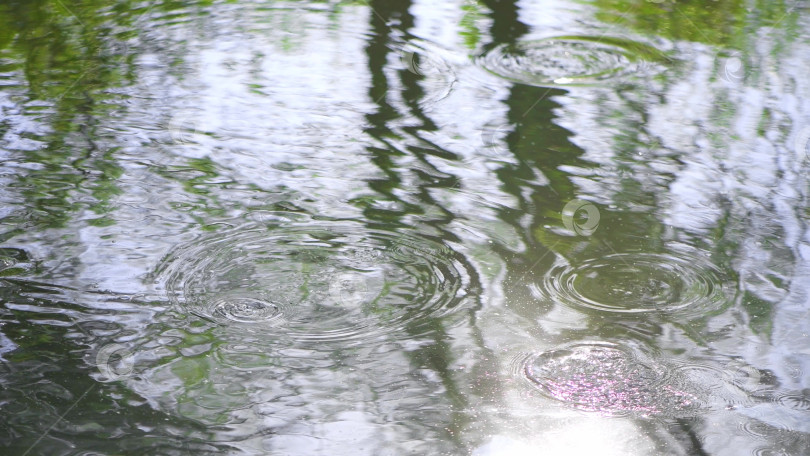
[70,55]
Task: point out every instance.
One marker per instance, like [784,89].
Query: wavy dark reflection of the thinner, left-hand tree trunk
[398,22]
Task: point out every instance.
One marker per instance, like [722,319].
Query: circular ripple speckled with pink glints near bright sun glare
[605,378]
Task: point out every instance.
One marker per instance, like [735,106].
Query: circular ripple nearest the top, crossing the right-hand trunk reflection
[570,60]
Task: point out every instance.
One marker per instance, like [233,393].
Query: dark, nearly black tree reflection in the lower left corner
[44,375]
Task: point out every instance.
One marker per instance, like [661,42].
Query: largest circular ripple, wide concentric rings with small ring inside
[314,280]
